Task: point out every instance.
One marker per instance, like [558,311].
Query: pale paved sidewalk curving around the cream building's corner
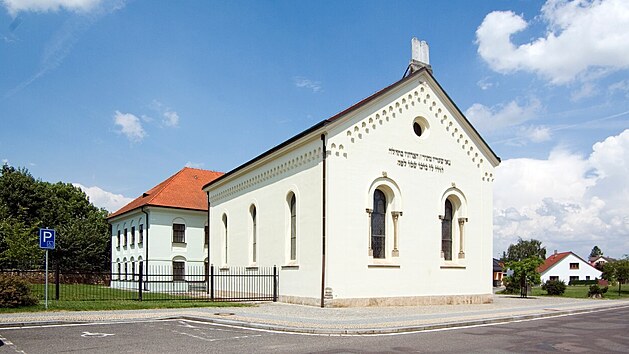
[306,319]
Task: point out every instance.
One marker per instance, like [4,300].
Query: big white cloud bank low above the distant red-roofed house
[568,201]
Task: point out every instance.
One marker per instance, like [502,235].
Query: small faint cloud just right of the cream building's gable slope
[489,119]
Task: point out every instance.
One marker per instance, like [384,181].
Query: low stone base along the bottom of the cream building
[392,301]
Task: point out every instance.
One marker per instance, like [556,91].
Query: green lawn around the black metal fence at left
[82,297]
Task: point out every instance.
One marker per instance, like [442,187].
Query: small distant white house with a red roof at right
[567,266]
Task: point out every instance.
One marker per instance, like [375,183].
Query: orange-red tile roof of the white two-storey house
[181,190]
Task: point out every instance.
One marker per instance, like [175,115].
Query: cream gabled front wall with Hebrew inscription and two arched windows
[379,149]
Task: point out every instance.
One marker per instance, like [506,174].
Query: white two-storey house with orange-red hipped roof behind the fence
[174,239]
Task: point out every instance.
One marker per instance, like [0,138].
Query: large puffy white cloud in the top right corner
[580,36]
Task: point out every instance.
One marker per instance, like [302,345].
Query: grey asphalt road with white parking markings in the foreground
[603,331]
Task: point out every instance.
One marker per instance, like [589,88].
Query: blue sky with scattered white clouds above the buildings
[117,95]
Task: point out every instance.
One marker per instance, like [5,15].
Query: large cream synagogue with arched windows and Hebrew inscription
[388,202]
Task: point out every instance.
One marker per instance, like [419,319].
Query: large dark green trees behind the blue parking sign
[26,204]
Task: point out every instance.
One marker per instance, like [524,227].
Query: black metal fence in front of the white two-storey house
[158,283]
